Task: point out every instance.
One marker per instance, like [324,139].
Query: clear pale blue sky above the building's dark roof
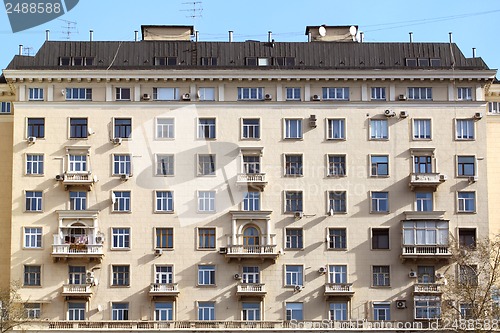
[473,23]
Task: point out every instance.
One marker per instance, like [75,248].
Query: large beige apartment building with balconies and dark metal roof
[169,183]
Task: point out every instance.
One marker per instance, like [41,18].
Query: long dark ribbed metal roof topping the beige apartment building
[314,55]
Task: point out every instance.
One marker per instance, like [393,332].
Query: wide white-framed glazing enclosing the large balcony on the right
[428,233]
